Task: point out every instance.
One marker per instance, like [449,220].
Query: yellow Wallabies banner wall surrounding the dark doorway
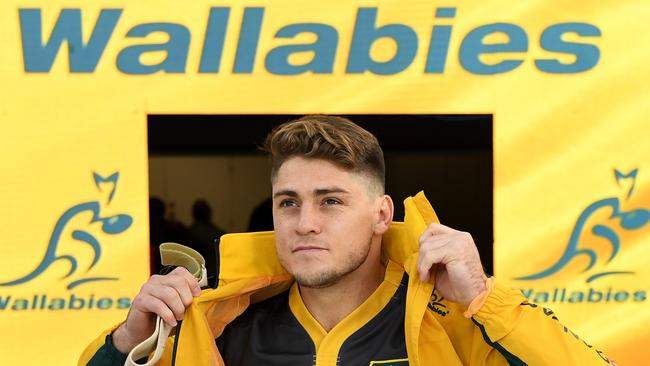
[566,83]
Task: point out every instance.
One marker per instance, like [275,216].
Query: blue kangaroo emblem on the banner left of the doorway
[112,225]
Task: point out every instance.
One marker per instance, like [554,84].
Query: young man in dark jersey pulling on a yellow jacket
[354,303]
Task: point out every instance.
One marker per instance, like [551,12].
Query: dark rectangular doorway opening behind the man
[447,156]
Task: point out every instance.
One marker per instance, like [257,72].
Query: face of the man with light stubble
[324,218]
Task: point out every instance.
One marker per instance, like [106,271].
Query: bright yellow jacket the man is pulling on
[251,272]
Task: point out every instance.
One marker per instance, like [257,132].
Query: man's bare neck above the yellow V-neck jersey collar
[332,304]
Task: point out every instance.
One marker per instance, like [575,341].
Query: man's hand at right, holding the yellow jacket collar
[452,257]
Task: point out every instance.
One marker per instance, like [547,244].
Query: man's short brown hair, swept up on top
[335,139]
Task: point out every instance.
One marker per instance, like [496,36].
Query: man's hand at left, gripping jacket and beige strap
[166,296]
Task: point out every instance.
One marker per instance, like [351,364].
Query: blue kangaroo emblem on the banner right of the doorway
[633,219]
